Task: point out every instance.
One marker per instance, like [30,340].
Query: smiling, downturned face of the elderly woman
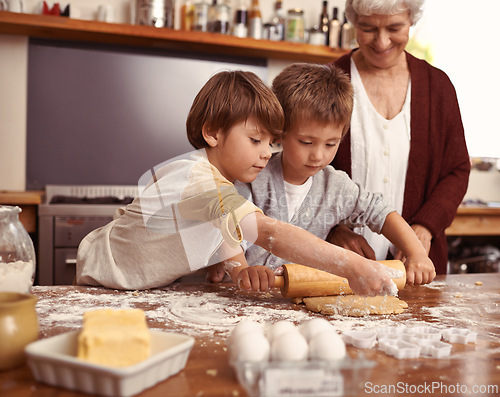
[382,38]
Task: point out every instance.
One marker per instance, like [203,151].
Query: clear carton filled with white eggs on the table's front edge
[262,372]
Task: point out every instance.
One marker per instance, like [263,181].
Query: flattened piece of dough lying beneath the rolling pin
[354,305]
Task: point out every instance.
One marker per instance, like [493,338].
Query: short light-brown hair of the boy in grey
[321,93]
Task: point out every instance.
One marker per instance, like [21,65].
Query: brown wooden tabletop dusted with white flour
[209,312]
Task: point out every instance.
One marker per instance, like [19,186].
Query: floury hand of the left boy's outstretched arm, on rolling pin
[370,278]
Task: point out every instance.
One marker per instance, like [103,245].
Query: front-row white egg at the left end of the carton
[251,346]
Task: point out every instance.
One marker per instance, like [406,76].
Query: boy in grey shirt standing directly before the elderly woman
[300,187]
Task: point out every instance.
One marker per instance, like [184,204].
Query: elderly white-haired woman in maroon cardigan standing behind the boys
[406,137]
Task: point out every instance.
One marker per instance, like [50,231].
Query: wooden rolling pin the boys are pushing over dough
[300,281]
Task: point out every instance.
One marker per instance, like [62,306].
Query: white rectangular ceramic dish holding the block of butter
[53,361]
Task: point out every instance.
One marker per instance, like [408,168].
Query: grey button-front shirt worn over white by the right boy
[332,199]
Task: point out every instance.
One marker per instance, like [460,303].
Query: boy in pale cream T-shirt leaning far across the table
[189,215]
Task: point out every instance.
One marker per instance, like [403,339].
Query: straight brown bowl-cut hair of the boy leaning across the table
[231,97]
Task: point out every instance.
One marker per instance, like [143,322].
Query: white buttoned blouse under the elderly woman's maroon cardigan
[379,151]
